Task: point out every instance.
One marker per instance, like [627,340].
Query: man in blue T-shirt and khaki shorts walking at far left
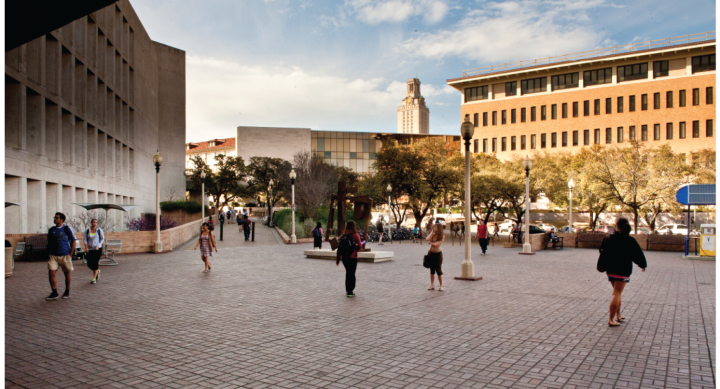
[61,246]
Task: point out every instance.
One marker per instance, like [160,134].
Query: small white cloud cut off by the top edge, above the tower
[394,11]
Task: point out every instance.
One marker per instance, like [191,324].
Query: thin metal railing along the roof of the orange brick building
[630,47]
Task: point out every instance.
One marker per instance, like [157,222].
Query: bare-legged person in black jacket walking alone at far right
[618,252]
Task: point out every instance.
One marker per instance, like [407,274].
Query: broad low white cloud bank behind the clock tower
[223,95]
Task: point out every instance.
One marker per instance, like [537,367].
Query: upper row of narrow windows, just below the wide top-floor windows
[595,107]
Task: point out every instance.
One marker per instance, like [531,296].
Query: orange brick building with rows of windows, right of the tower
[660,92]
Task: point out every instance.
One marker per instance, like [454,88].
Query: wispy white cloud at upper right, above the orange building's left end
[512,31]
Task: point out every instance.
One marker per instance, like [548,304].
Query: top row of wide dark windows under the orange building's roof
[625,73]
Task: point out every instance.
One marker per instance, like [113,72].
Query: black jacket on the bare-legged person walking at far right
[618,252]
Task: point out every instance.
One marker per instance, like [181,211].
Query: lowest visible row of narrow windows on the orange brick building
[589,137]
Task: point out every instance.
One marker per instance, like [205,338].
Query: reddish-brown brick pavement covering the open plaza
[268,318]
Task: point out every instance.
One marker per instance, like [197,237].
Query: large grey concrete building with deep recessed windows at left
[86,107]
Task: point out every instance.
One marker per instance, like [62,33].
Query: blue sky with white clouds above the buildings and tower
[342,65]
